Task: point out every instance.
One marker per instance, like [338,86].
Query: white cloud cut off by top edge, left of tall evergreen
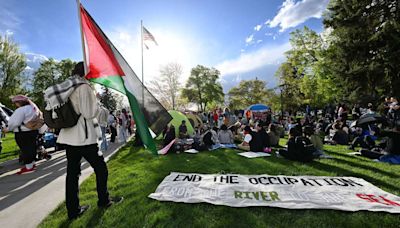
[294,13]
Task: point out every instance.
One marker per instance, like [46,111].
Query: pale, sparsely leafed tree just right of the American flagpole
[167,86]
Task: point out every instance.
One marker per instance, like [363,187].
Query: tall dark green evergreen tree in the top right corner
[364,53]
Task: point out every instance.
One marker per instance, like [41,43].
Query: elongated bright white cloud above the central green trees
[253,60]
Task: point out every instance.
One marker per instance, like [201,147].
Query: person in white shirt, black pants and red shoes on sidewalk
[24,137]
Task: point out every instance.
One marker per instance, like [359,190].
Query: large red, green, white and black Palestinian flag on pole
[106,66]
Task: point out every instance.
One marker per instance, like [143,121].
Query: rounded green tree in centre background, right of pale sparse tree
[203,87]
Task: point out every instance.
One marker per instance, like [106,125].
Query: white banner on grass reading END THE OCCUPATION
[292,192]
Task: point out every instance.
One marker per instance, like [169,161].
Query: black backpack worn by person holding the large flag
[64,116]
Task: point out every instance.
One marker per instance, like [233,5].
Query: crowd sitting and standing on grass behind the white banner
[377,138]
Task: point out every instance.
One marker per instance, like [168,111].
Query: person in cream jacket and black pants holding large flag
[80,139]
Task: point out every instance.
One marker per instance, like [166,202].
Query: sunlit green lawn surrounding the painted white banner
[135,173]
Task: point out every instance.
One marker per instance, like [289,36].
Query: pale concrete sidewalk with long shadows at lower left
[35,195]
